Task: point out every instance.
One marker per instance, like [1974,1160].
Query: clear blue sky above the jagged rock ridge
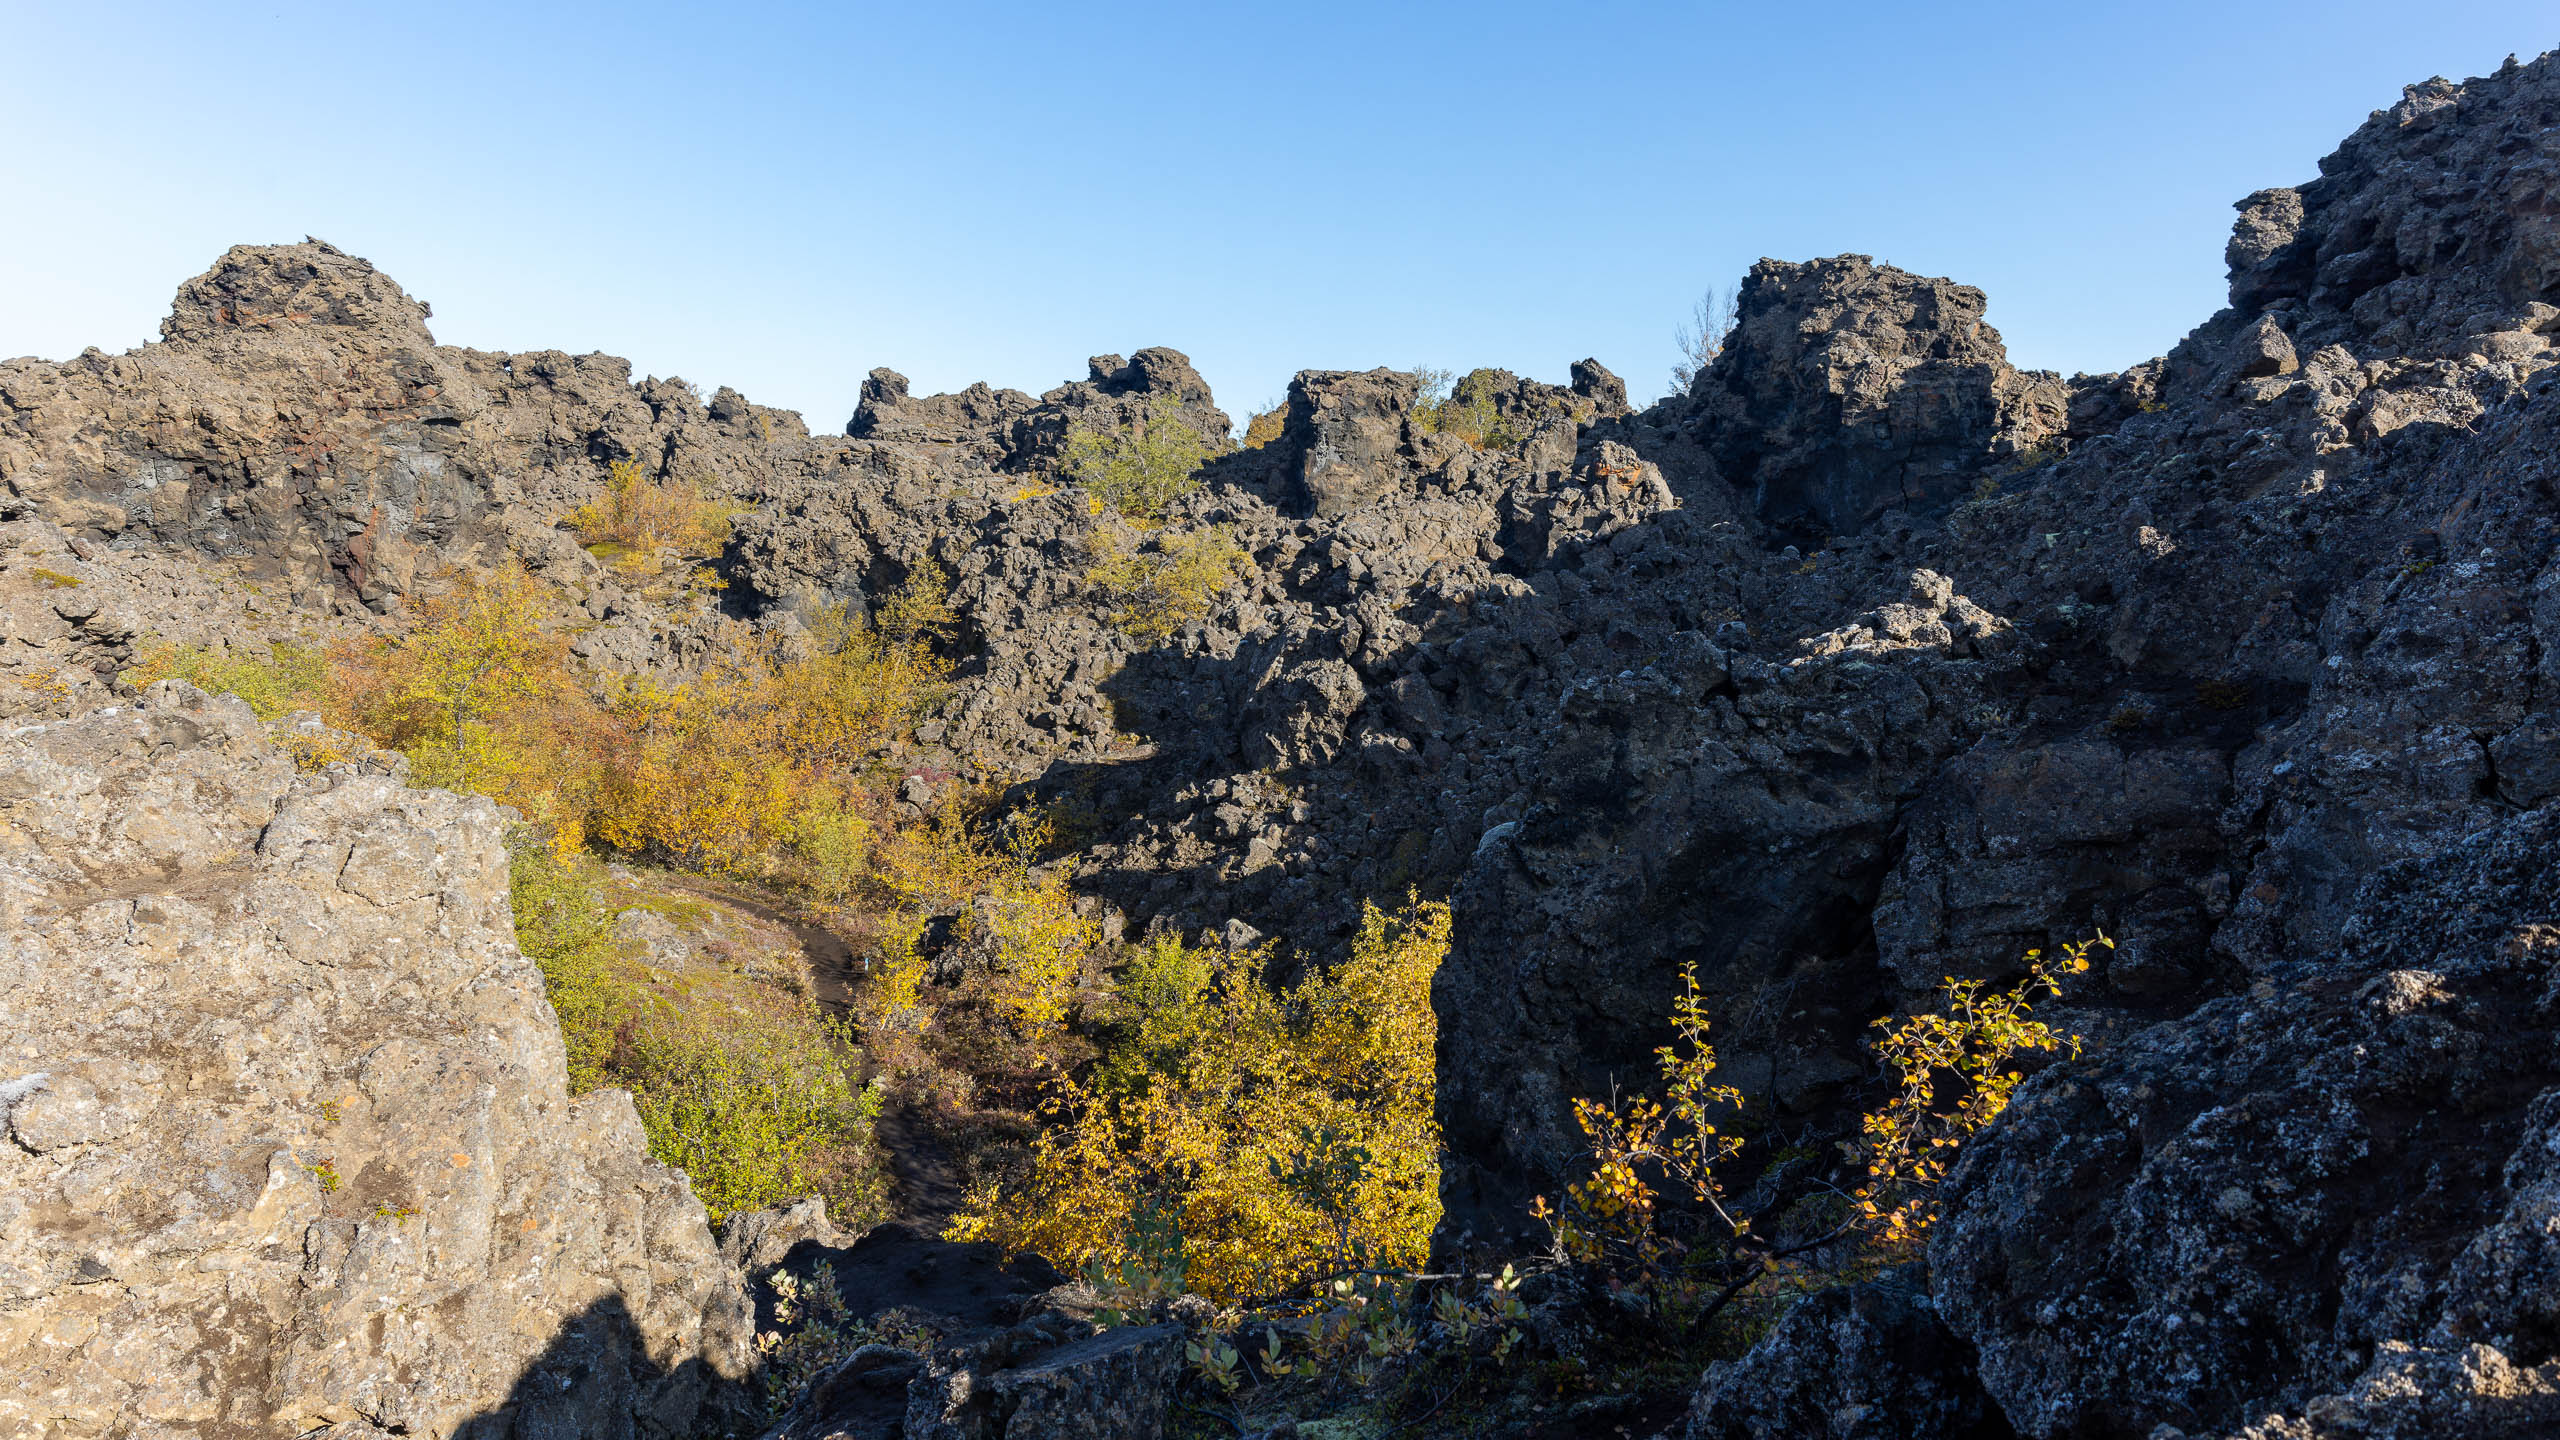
[787,196]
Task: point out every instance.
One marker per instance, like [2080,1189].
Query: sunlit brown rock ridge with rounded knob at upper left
[301,427]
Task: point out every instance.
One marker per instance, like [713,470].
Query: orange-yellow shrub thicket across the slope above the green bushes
[764,765]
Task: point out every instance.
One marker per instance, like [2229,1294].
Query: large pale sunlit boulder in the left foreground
[288,1131]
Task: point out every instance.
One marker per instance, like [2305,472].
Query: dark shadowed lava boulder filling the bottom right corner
[2308,1208]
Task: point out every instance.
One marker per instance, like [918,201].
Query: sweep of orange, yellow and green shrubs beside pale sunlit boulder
[769,770]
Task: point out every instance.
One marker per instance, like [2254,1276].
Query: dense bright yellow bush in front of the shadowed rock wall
[1271,1139]
